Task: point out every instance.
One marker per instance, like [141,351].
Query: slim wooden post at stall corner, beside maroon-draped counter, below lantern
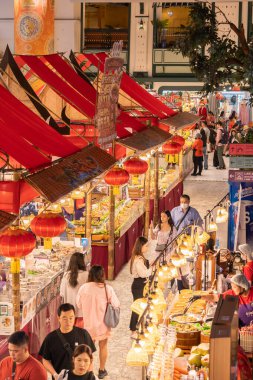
[111,241]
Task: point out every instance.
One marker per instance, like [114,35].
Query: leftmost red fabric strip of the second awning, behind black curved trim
[59,86]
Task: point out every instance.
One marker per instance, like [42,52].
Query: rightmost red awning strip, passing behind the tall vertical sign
[134,90]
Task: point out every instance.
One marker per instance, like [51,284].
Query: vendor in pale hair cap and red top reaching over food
[240,288]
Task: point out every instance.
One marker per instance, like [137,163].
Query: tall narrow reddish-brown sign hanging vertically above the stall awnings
[107,103]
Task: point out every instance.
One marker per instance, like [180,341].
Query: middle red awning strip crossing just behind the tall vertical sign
[90,94]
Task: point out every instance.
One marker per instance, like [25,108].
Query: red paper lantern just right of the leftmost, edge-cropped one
[48,224]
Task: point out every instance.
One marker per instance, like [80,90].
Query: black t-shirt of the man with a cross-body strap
[52,348]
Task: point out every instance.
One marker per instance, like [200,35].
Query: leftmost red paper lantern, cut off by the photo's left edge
[16,243]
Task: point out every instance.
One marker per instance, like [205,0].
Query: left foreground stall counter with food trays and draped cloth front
[41,274]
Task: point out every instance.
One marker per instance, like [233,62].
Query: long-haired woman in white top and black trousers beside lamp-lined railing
[139,269]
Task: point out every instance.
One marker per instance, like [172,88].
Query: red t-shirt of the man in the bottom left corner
[30,369]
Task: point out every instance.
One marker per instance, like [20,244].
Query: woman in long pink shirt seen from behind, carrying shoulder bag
[91,298]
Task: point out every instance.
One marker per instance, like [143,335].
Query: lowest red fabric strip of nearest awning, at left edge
[17,147]
